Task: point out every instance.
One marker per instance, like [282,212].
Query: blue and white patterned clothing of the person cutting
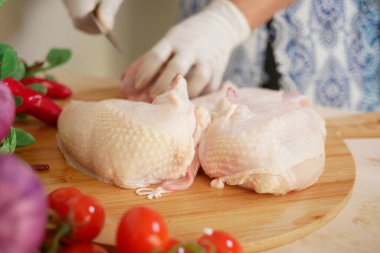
[328,50]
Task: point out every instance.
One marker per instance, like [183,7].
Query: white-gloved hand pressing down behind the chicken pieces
[198,48]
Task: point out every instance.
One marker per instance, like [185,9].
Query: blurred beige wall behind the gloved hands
[32,27]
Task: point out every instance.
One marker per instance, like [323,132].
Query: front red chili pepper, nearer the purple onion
[34,103]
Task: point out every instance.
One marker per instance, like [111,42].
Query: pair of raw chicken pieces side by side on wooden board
[270,142]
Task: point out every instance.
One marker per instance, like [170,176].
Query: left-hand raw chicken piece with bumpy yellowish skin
[135,144]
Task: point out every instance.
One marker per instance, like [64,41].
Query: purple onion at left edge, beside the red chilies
[7,110]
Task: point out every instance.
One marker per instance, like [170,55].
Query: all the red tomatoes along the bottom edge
[76,219]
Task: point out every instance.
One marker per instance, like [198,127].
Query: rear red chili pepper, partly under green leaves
[54,89]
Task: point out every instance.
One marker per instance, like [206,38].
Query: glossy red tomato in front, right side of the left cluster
[85,218]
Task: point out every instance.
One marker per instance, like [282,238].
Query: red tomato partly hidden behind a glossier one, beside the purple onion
[58,199]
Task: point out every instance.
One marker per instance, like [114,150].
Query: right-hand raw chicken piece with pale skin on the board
[271,142]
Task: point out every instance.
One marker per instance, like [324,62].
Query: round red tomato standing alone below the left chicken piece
[141,230]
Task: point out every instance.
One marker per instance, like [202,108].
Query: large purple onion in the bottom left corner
[23,207]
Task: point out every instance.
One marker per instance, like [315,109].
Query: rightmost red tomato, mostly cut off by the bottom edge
[222,241]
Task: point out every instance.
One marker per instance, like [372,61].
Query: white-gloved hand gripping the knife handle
[79,11]
